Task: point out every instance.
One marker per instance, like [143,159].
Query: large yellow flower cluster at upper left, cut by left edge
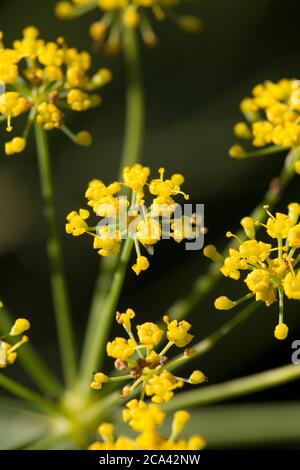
[42,80]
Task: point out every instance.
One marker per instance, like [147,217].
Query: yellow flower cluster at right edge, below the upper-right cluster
[272,271]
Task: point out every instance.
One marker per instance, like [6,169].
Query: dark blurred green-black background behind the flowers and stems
[193,86]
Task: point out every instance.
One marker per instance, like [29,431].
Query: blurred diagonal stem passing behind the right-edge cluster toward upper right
[205,283]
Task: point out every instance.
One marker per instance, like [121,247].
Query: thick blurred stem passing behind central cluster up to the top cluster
[132,152]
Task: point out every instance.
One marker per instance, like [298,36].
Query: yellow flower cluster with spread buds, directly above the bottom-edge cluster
[149,370]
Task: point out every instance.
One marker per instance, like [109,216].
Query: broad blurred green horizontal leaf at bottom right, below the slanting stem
[250,425]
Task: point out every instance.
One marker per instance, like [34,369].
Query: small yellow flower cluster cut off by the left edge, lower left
[8,353]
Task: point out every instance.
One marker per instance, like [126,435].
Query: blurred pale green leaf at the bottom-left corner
[19,426]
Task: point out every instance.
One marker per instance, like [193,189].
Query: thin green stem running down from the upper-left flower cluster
[58,282]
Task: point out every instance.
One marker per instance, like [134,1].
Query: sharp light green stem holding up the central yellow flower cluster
[94,354]
